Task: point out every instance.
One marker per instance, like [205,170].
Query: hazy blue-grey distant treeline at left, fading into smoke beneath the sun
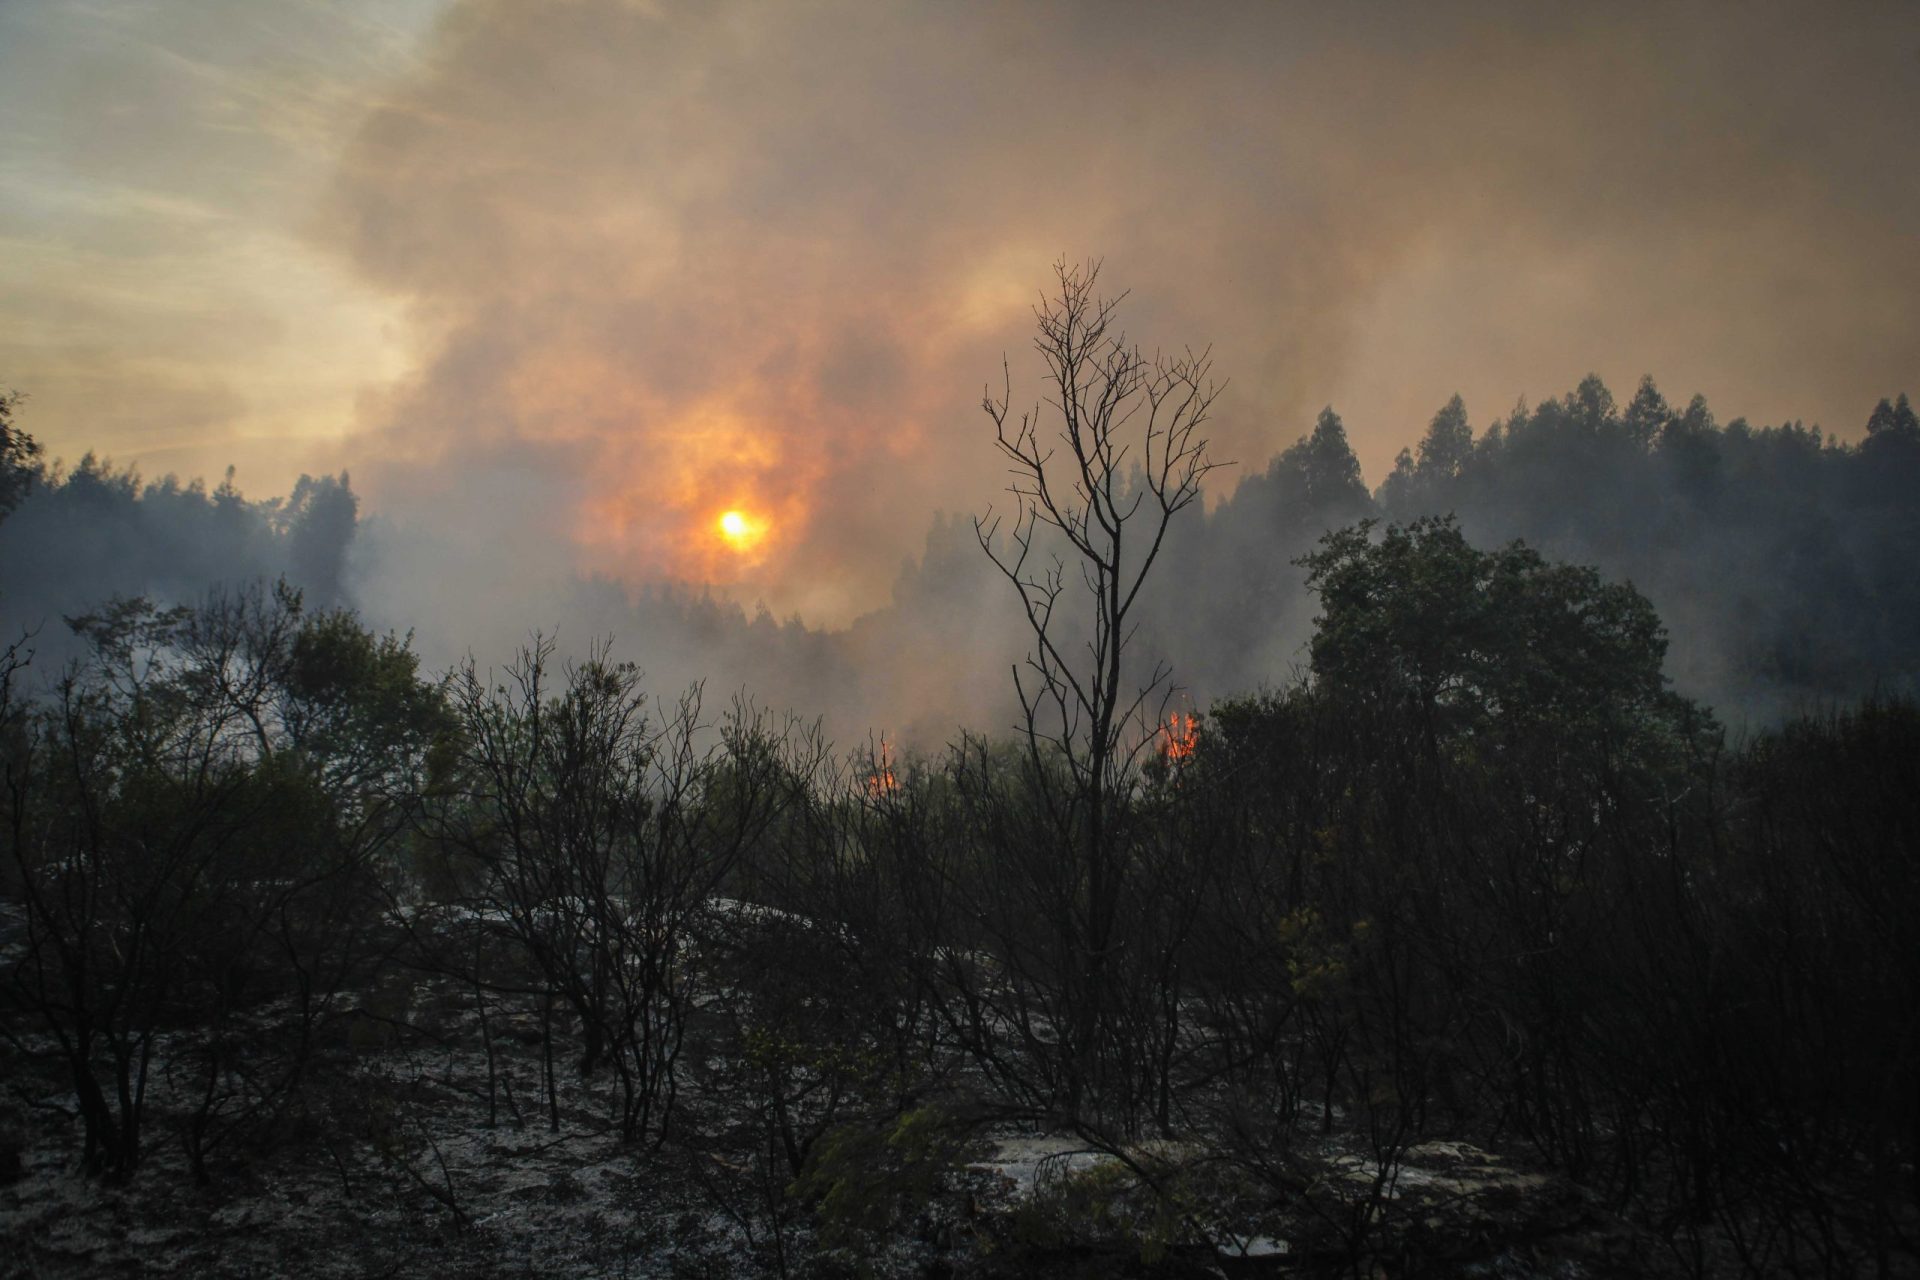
[95,533]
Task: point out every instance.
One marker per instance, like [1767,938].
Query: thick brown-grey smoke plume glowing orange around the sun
[671,260]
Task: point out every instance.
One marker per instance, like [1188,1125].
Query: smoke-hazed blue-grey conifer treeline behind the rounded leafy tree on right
[1777,554]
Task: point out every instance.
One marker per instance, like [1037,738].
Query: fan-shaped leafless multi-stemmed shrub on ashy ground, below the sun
[596,834]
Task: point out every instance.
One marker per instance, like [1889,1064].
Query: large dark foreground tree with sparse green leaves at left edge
[195,824]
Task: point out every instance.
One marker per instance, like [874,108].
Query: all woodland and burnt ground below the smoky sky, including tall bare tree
[1458,936]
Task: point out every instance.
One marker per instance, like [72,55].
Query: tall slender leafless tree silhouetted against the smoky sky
[1095,483]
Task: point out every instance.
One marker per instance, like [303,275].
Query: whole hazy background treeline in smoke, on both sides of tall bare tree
[1775,554]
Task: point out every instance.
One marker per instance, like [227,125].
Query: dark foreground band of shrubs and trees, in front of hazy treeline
[1481,876]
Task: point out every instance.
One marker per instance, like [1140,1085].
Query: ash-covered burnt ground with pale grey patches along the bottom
[420,1141]
